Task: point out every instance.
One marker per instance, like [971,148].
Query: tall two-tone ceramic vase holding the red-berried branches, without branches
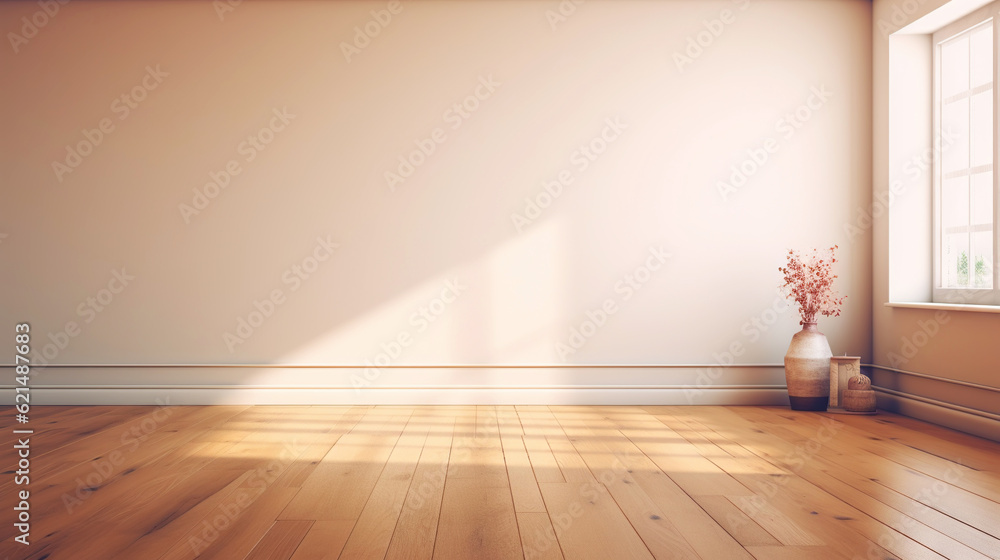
[807,369]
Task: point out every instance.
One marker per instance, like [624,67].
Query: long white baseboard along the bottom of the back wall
[203,385]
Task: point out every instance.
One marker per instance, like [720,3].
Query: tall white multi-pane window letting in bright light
[965,179]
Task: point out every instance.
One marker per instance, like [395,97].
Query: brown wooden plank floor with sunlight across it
[481,482]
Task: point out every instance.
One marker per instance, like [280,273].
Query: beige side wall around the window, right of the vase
[956,346]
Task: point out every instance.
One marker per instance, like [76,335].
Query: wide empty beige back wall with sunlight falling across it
[609,74]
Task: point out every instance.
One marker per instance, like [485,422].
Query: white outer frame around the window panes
[975,296]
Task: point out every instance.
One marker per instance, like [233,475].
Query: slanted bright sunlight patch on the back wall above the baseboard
[500,308]
